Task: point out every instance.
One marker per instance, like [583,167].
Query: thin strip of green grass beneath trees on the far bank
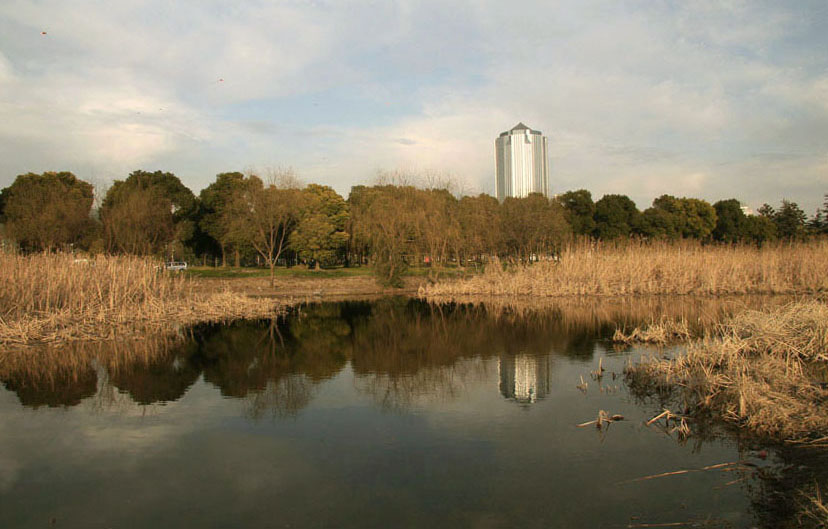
[301,271]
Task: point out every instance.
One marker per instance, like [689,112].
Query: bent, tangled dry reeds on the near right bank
[761,369]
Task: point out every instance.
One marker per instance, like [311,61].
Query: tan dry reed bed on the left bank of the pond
[56,298]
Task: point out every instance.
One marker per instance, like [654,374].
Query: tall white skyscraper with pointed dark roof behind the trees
[521,163]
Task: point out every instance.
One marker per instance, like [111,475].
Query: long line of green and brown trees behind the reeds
[274,219]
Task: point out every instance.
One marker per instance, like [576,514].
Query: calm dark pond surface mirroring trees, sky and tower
[391,413]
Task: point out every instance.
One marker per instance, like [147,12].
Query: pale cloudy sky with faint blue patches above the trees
[706,99]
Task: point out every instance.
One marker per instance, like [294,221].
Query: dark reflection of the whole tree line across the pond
[401,350]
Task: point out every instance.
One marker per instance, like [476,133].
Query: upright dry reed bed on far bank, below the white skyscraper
[637,268]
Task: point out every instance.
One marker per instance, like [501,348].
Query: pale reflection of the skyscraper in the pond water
[524,378]
